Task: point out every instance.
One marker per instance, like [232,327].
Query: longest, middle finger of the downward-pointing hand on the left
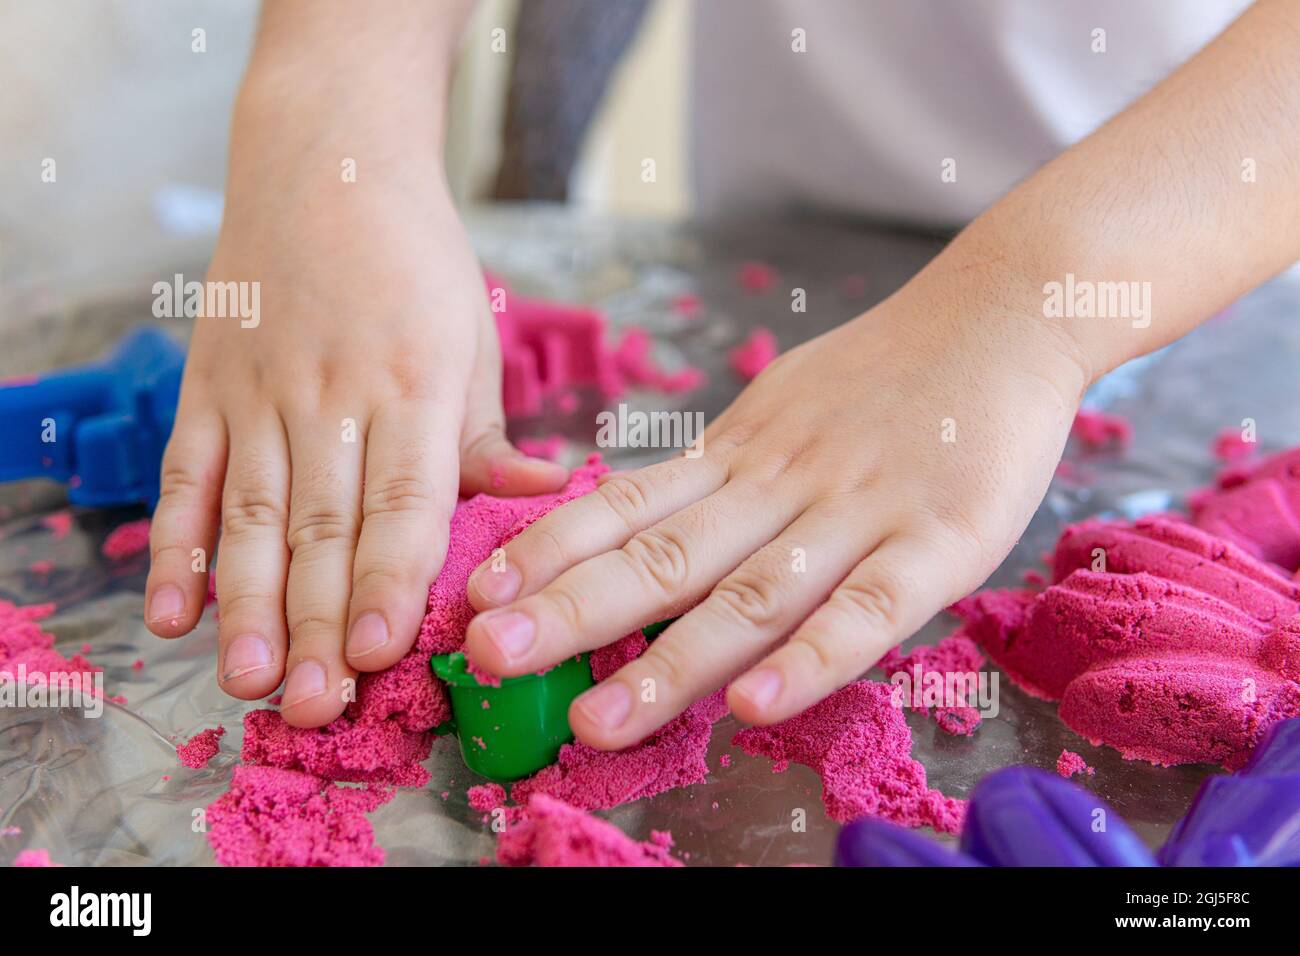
[328,453]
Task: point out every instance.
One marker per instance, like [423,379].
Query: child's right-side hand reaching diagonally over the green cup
[863,483]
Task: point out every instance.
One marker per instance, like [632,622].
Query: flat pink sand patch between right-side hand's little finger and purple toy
[861,746]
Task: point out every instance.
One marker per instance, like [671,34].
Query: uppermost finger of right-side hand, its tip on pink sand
[593,525]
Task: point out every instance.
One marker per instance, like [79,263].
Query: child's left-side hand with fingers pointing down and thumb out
[331,440]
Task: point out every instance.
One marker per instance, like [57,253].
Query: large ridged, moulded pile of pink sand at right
[1173,642]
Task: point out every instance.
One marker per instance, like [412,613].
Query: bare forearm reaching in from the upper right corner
[1159,196]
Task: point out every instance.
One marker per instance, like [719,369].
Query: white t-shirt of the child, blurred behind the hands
[891,90]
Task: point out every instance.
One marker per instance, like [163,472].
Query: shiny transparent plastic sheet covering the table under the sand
[111,791]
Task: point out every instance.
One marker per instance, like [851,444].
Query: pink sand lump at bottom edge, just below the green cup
[552,833]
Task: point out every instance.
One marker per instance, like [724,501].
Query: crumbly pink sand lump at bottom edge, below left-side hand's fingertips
[275,817]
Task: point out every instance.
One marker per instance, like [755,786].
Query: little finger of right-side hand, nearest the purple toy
[886,599]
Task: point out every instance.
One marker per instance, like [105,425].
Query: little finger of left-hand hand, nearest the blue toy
[185,521]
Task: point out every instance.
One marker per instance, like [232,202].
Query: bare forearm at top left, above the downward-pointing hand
[333,81]
